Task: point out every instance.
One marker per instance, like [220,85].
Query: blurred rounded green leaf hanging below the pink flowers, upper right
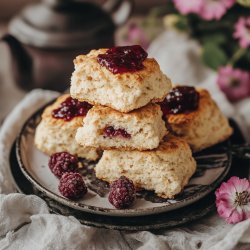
[213,56]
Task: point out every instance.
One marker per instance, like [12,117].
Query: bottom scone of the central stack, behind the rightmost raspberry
[165,170]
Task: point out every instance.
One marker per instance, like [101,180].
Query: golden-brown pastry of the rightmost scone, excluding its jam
[203,127]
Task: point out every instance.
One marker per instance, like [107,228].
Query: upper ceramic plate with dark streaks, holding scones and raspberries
[212,166]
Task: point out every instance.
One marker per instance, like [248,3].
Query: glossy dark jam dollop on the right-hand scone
[180,99]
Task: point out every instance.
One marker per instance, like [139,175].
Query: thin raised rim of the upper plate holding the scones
[111,211]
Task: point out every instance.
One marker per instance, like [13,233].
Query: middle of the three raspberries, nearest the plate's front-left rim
[72,186]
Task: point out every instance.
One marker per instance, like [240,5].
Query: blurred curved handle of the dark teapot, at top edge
[120,10]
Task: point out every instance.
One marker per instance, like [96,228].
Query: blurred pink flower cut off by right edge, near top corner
[242,31]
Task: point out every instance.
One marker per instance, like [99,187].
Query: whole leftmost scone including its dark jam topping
[57,129]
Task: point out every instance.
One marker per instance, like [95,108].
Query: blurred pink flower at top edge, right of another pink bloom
[215,9]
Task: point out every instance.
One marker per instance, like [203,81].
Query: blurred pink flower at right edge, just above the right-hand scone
[235,83]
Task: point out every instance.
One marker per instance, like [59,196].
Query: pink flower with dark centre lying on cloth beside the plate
[233,200]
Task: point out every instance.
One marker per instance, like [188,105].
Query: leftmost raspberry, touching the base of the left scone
[62,162]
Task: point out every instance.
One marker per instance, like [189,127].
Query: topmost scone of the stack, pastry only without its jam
[124,92]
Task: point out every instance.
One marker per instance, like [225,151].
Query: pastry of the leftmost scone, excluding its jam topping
[55,135]
